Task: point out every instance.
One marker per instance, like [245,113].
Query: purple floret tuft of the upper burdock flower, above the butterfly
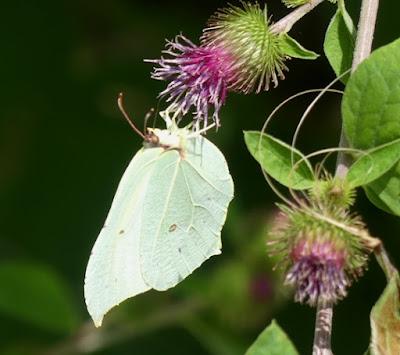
[198,76]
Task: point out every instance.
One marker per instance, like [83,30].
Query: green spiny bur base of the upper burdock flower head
[245,33]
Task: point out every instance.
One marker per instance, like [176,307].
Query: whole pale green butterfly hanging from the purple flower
[165,219]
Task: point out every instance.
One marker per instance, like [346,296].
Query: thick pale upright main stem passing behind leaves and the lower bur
[365,34]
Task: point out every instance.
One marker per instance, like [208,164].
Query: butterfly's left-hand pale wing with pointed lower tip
[113,272]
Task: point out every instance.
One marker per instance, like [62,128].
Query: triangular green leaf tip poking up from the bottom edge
[272,341]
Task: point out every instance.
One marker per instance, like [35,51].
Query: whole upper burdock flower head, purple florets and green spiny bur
[238,52]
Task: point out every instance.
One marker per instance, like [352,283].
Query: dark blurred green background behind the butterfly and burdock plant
[64,146]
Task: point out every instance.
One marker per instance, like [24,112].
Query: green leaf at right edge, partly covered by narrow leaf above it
[385,191]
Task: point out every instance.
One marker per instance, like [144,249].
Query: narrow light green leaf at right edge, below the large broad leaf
[374,164]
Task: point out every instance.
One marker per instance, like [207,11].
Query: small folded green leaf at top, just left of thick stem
[339,42]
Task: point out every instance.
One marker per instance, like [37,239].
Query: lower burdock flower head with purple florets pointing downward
[322,247]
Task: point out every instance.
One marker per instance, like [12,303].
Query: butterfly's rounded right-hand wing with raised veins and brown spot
[183,213]
